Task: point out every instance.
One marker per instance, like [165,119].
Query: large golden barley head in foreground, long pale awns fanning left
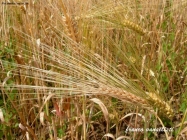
[78,86]
